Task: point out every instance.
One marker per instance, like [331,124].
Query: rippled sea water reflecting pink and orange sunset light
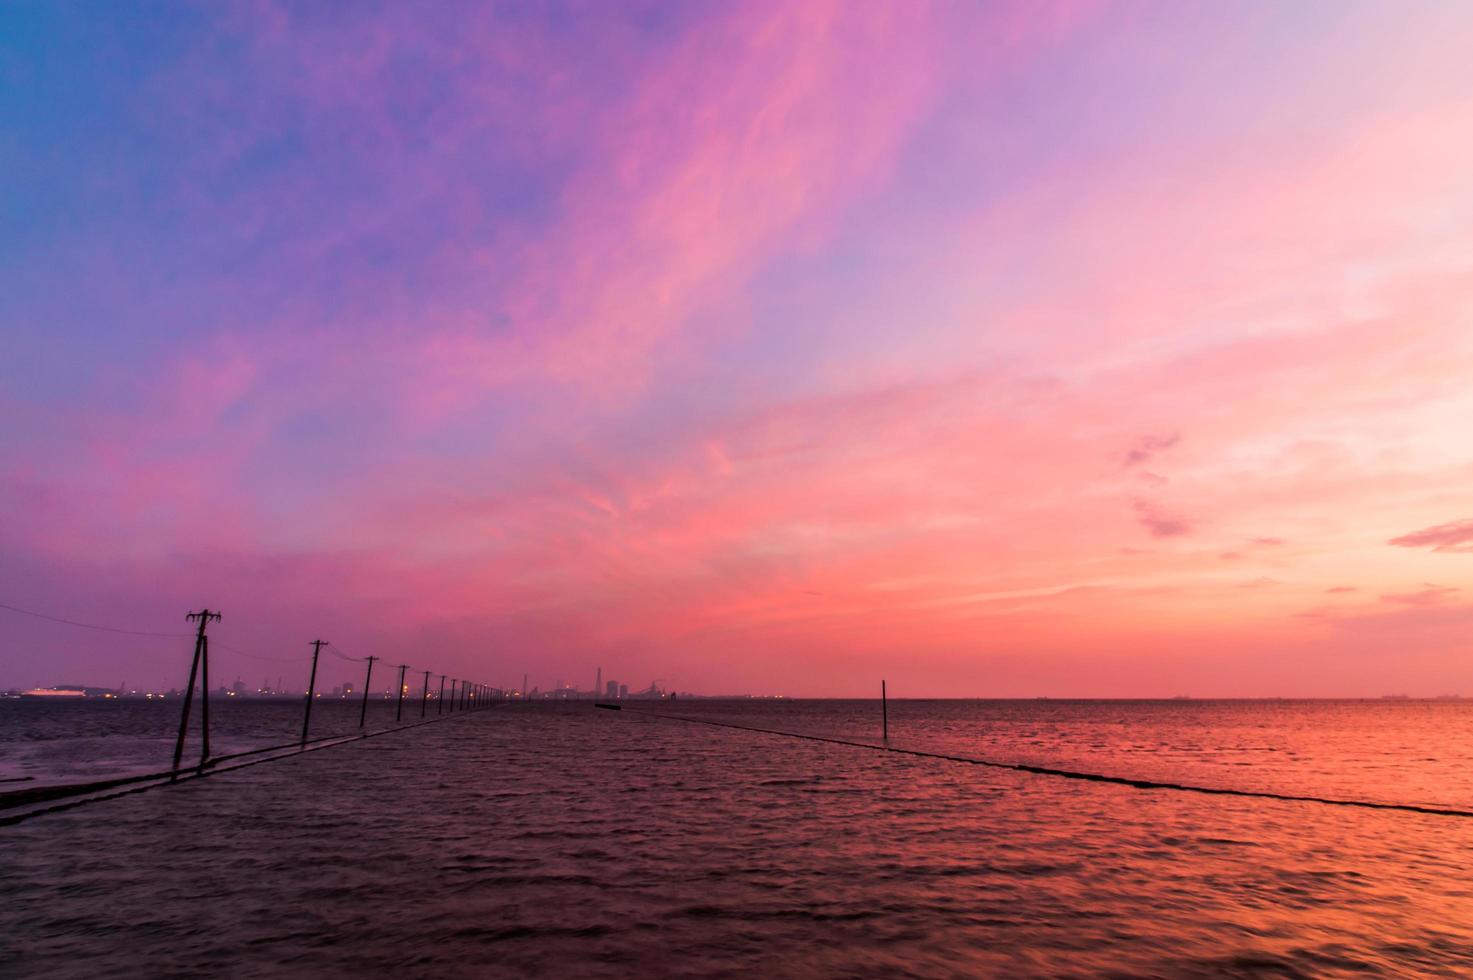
[563,841]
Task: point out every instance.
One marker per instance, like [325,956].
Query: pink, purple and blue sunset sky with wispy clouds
[996,350]
